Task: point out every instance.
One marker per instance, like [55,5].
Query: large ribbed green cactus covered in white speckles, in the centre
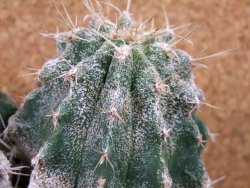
[116,108]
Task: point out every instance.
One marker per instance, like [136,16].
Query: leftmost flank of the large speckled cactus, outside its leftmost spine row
[54,89]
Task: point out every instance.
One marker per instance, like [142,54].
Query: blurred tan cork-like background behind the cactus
[226,83]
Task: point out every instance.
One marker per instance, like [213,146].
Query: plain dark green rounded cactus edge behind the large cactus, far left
[7,108]
